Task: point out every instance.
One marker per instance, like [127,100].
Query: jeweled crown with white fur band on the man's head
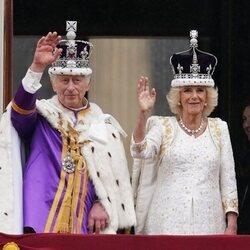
[75,55]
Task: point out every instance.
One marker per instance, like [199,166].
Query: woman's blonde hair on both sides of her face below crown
[173,98]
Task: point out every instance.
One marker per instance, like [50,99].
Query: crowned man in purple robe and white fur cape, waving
[76,178]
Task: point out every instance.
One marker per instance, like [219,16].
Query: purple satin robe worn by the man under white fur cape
[43,167]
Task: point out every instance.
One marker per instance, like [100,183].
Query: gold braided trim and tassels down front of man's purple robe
[65,221]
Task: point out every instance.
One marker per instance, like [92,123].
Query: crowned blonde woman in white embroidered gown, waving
[183,174]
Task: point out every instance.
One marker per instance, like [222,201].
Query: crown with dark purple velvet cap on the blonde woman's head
[193,66]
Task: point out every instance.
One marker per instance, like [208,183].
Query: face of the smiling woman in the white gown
[193,99]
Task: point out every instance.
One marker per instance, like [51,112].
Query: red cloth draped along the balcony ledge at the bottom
[124,242]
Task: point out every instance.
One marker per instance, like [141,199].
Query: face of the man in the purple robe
[71,89]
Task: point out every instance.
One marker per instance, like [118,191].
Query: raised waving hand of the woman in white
[146,98]
